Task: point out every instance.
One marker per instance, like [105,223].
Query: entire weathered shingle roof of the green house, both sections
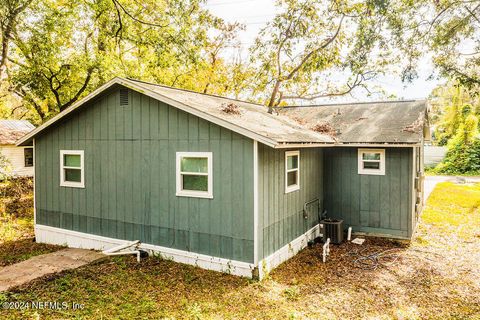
[391,122]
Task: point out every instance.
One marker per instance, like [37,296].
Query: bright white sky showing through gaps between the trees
[256,13]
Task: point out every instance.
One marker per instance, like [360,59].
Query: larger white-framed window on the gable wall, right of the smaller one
[194,174]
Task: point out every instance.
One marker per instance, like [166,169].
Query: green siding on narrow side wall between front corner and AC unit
[281,217]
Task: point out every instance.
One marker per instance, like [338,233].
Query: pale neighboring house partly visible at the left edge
[20,159]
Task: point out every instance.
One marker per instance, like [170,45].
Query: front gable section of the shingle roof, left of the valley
[253,121]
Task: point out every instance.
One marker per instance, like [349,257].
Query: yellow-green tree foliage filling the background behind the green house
[54,52]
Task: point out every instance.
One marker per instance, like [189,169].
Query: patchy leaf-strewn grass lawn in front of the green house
[437,276]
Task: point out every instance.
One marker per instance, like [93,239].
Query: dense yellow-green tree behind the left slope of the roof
[56,52]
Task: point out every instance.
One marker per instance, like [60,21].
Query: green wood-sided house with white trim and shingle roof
[220,183]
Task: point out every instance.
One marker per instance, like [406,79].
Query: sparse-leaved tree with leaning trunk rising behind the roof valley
[299,52]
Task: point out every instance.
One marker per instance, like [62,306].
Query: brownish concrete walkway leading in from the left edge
[38,266]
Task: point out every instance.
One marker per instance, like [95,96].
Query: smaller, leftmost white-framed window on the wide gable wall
[71,168]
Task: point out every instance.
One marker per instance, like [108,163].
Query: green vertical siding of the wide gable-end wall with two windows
[130,154]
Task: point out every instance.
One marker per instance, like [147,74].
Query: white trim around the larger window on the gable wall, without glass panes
[190,193]
